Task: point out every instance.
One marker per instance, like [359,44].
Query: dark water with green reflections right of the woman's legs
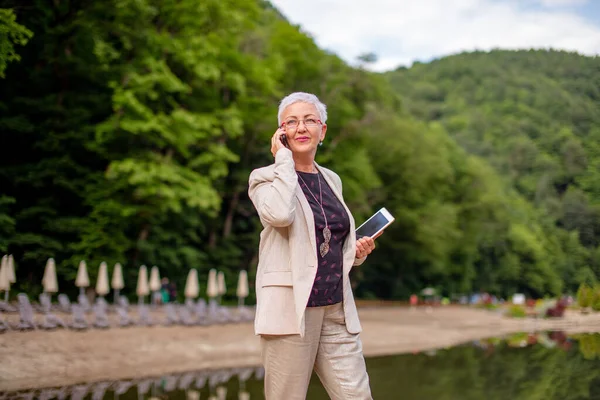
[549,366]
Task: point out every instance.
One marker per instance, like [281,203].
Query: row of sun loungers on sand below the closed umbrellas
[189,314]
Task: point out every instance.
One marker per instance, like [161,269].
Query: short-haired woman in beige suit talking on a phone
[306,314]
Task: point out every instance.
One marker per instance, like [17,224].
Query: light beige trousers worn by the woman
[335,355]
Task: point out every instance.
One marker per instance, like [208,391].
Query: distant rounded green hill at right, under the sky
[534,116]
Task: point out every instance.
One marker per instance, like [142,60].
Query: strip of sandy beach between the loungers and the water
[39,359]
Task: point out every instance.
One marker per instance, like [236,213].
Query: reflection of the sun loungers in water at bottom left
[185,381]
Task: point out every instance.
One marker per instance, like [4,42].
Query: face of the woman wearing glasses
[303,138]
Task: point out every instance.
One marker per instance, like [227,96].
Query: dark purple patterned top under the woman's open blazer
[327,288]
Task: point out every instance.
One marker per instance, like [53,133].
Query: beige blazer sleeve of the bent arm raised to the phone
[273,190]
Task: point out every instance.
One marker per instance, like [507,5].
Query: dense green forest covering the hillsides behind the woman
[129,129]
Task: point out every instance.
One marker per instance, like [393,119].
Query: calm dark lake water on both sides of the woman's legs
[542,366]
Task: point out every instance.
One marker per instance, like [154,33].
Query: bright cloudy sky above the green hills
[400,32]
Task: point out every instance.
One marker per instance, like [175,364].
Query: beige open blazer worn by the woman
[287,260]
